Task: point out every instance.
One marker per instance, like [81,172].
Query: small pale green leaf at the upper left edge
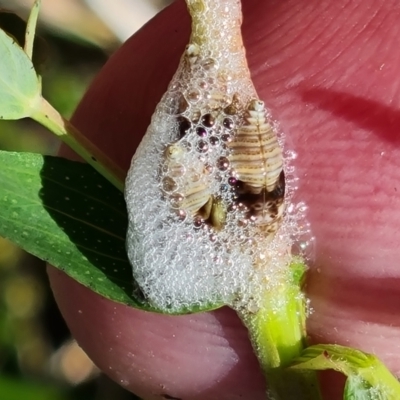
[20,89]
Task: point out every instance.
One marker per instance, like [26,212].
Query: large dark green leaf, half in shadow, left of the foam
[65,213]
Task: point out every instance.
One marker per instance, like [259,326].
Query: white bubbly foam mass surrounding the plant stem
[179,258]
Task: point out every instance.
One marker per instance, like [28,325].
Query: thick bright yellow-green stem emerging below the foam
[277,332]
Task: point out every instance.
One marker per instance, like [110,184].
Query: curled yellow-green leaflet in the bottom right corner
[367,377]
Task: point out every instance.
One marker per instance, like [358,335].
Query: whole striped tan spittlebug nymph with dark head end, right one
[257,162]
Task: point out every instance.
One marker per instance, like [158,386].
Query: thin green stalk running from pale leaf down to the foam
[47,116]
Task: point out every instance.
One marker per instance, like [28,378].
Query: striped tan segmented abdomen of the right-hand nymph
[255,152]
